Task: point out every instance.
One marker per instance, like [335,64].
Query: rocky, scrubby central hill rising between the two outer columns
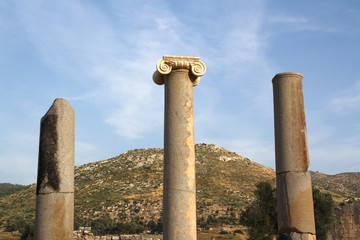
[129,186]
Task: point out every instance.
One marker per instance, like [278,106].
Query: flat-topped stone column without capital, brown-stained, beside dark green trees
[294,190]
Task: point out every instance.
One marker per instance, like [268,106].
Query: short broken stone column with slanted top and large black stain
[54,216]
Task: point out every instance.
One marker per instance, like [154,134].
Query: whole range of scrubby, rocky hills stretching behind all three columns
[129,188]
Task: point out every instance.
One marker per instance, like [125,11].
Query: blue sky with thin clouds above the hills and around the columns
[100,56]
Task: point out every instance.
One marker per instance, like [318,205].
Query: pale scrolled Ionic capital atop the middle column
[168,63]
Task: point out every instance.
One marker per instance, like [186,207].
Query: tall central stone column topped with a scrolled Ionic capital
[179,74]
